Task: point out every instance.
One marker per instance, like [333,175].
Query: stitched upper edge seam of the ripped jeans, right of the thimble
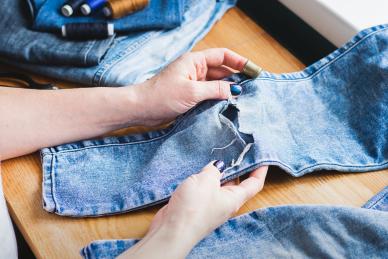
[319,67]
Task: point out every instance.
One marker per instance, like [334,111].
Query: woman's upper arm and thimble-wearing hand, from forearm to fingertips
[48,118]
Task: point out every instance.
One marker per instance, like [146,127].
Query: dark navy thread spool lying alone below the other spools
[84,31]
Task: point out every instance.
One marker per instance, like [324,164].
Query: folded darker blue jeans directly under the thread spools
[161,14]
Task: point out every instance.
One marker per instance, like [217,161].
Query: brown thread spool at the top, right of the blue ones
[119,8]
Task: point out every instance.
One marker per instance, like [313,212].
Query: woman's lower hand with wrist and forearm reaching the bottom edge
[198,206]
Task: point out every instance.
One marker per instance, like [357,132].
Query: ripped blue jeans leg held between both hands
[331,116]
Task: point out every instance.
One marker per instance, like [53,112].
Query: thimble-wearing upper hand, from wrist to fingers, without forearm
[192,78]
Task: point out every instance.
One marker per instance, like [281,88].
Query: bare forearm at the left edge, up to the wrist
[33,119]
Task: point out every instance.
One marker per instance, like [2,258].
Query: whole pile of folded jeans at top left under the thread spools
[28,40]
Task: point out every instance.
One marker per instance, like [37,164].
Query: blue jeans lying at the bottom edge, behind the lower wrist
[287,232]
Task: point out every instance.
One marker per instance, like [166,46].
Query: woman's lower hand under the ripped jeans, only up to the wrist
[200,204]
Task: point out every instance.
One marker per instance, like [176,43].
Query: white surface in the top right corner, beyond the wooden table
[339,20]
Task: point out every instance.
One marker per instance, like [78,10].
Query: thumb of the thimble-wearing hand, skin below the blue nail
[216,89]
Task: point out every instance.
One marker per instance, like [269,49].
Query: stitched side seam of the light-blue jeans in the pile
[122,54]
